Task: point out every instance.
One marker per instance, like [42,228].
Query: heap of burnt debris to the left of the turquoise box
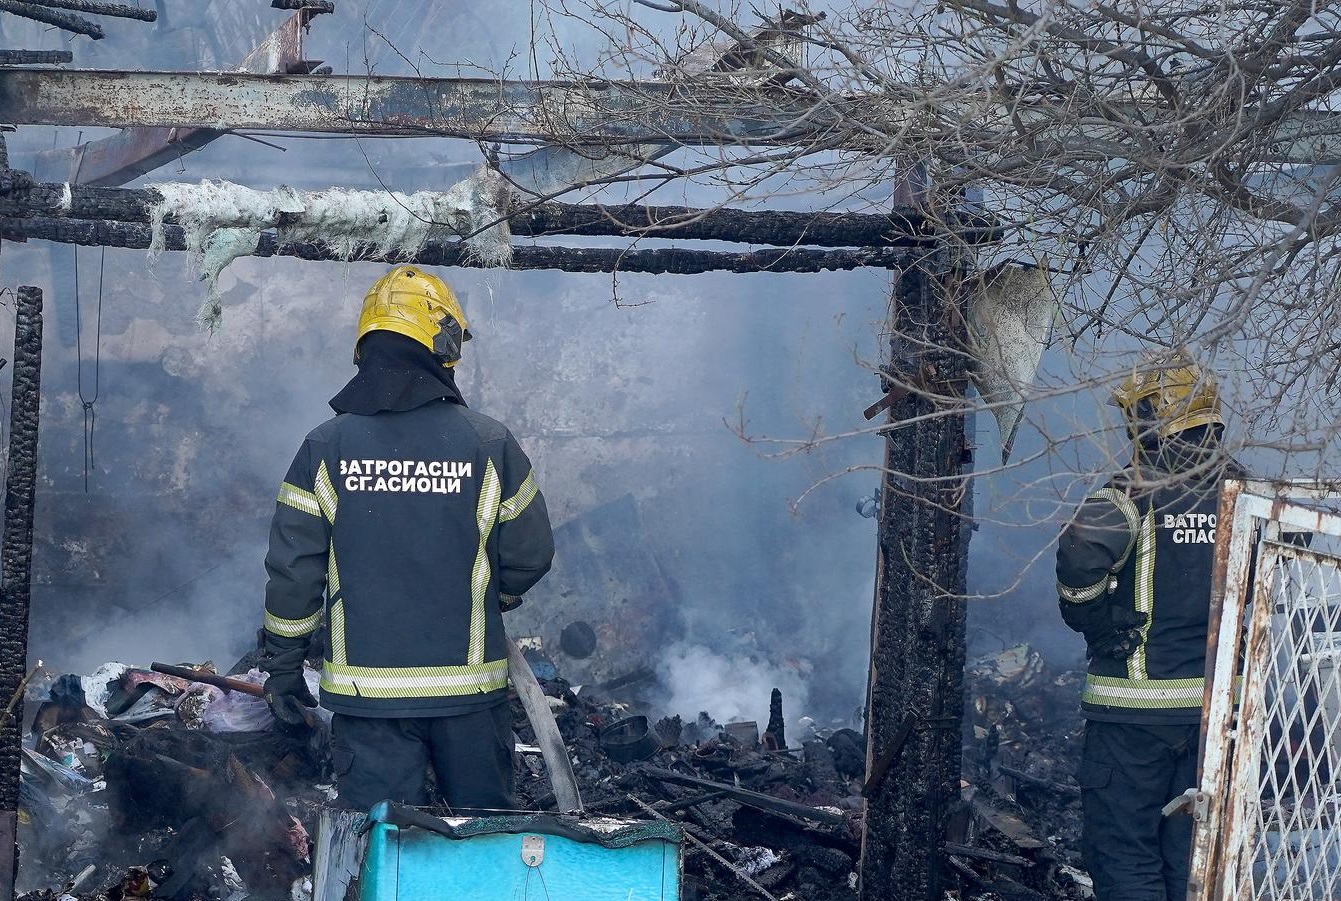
[141,785]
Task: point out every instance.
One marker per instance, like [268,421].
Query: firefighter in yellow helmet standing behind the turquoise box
[410,524]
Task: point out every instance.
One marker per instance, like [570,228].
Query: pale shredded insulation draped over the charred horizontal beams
[223,222]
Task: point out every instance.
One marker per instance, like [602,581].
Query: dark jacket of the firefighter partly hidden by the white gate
[1146,544]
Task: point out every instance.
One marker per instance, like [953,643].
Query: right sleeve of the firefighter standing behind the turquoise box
[526,542]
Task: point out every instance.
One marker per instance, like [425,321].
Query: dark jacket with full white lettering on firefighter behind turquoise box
[415,529]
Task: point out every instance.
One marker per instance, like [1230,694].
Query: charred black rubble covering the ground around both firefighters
[139,785]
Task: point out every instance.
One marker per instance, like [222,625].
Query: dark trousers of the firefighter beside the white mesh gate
[1127,774]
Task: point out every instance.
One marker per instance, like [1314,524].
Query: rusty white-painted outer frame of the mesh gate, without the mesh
[1250,516]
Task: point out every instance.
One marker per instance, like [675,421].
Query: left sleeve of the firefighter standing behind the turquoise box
[300,537]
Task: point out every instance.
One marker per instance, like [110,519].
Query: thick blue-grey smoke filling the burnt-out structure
[659,395]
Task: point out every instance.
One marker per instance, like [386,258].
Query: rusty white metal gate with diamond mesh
[1269,804]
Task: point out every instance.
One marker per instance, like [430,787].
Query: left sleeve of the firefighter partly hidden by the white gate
[1090,553]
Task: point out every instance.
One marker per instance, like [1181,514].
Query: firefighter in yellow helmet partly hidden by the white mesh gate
[1134,576]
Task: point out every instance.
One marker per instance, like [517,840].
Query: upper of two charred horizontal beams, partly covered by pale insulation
[781,229]
